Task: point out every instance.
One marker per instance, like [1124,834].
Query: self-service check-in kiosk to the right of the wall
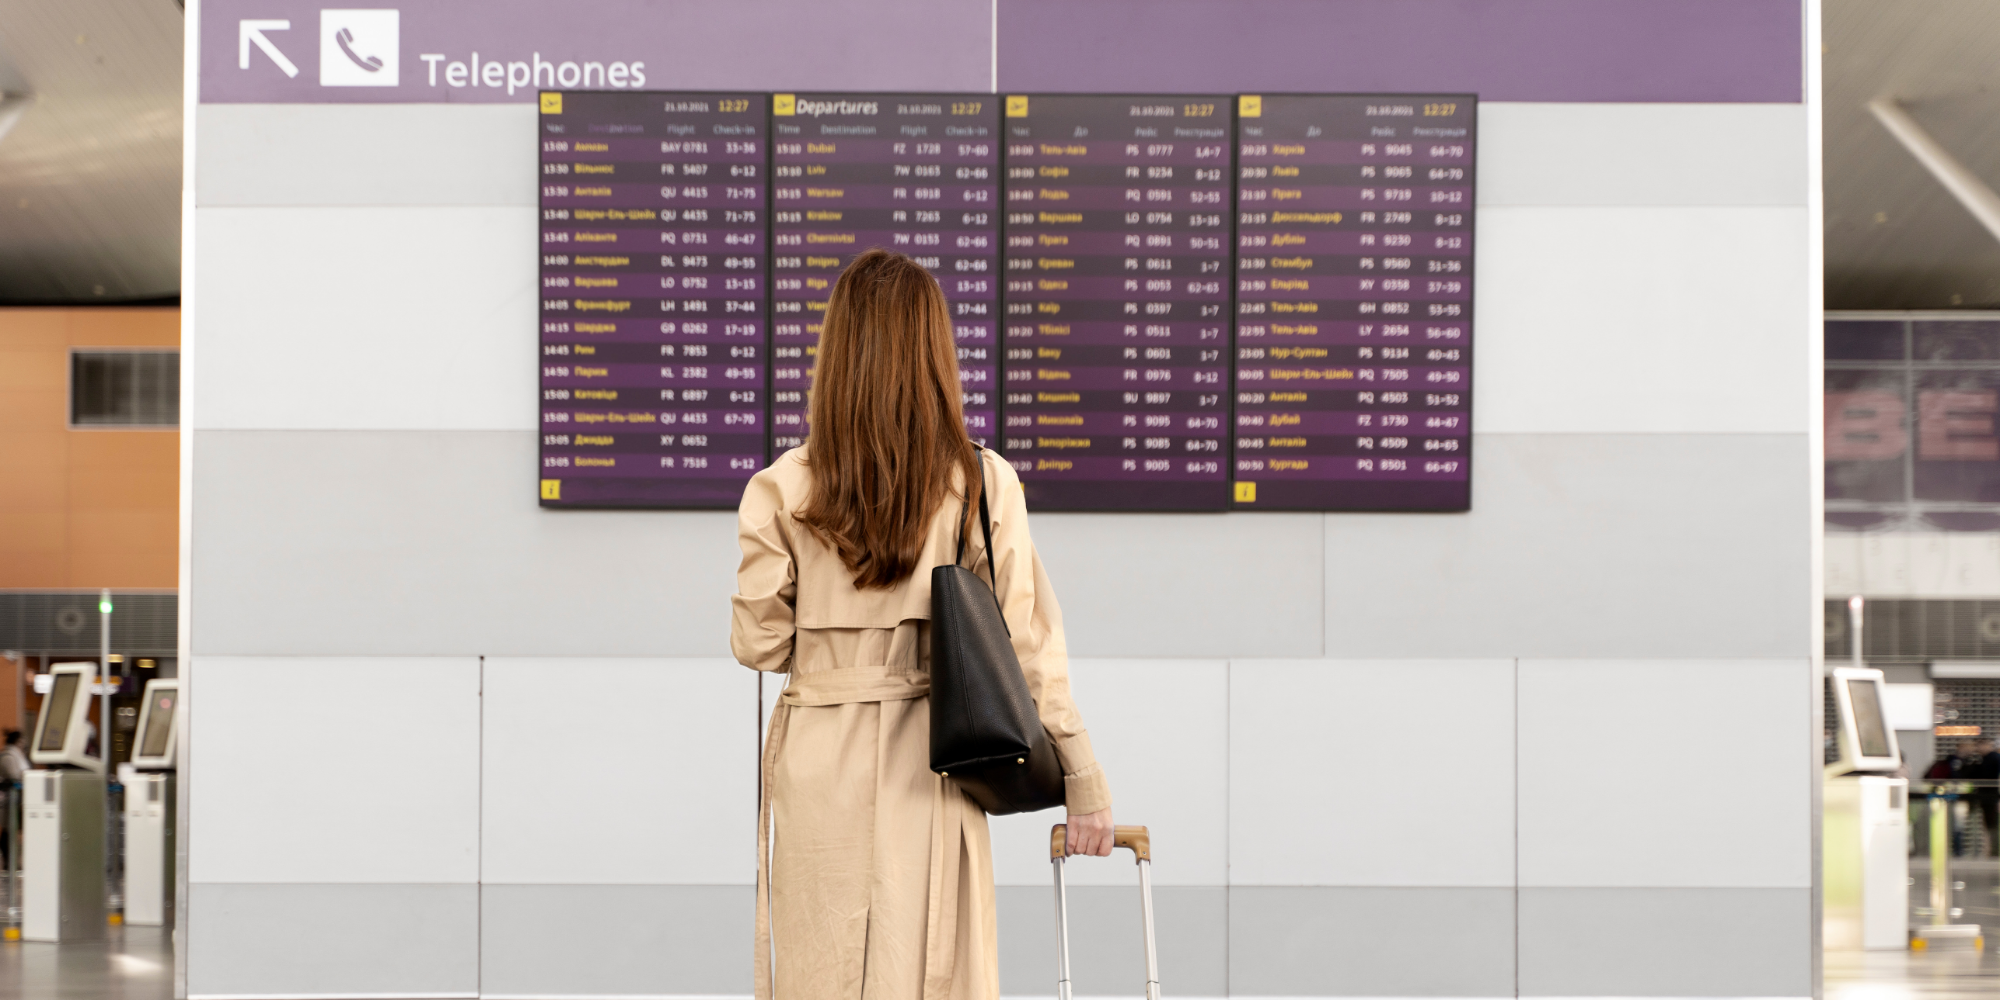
[1867,829]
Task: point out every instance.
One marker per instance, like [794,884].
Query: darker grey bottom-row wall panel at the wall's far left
[341,941]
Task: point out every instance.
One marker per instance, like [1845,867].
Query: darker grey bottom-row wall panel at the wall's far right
[1667,943]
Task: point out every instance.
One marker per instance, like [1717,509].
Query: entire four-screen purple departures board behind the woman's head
[1161,303]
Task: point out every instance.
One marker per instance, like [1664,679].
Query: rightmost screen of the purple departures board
[1355,303]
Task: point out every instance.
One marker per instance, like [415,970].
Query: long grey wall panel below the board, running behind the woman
[433,543]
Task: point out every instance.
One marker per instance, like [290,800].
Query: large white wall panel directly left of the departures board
[367,319]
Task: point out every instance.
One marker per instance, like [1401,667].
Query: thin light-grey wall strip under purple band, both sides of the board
[1531,155]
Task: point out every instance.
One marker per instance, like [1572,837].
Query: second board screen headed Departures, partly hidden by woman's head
[909,173]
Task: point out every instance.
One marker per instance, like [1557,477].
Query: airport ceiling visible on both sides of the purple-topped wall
[91,167]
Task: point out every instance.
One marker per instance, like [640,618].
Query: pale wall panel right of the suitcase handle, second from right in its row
[1373,773]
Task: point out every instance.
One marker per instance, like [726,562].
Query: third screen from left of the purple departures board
[1117,301]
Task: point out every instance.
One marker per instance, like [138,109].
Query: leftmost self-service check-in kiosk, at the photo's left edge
[63,817]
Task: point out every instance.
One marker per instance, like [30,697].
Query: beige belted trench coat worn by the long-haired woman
[875,875]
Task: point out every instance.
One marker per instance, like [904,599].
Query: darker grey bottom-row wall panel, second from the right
[1371,941]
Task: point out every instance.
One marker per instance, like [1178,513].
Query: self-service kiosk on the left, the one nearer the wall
[149,809]
